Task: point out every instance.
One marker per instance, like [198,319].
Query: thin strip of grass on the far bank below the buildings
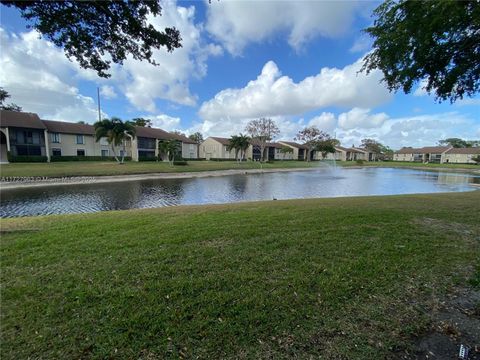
[99,168]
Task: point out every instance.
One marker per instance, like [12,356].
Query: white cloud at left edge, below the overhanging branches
[41,79]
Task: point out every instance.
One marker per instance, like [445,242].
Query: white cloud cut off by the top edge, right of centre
[237,23]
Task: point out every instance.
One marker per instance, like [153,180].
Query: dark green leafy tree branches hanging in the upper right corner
[434,42]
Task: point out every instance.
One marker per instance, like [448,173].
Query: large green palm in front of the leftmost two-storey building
[116,131]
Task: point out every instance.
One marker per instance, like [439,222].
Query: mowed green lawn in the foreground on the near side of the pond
[323,278]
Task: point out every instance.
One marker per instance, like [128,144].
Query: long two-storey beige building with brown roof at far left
[25,134]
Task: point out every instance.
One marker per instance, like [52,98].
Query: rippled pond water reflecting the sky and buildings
[324,182]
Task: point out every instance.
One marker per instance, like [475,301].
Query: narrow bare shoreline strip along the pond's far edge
[82,180]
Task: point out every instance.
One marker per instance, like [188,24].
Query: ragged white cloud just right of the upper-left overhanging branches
[142,82]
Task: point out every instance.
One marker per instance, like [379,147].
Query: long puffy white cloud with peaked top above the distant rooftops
[272,94]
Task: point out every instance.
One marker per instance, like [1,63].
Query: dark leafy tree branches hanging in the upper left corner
[92,31]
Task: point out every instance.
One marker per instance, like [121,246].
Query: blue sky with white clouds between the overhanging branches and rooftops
[296,62]
